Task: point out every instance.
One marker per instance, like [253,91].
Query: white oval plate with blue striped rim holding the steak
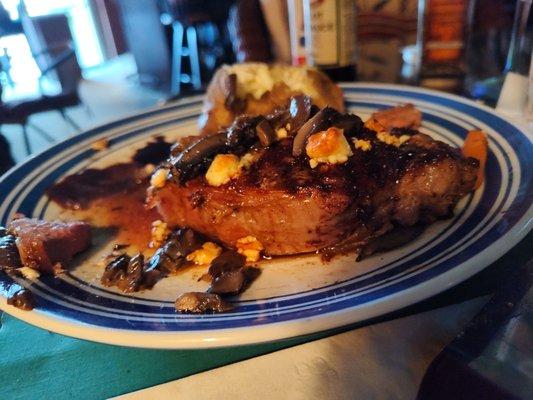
[292,296]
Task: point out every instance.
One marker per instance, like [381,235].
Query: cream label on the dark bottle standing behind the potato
[330,32]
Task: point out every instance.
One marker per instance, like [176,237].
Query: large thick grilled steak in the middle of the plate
[292,208]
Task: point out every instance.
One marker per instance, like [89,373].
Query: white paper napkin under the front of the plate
[382,361]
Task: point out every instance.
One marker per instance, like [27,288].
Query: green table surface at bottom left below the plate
[37,364]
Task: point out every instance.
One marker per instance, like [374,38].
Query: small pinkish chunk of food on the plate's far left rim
[43,244]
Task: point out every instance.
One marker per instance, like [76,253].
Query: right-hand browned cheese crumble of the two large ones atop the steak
[329,146]
